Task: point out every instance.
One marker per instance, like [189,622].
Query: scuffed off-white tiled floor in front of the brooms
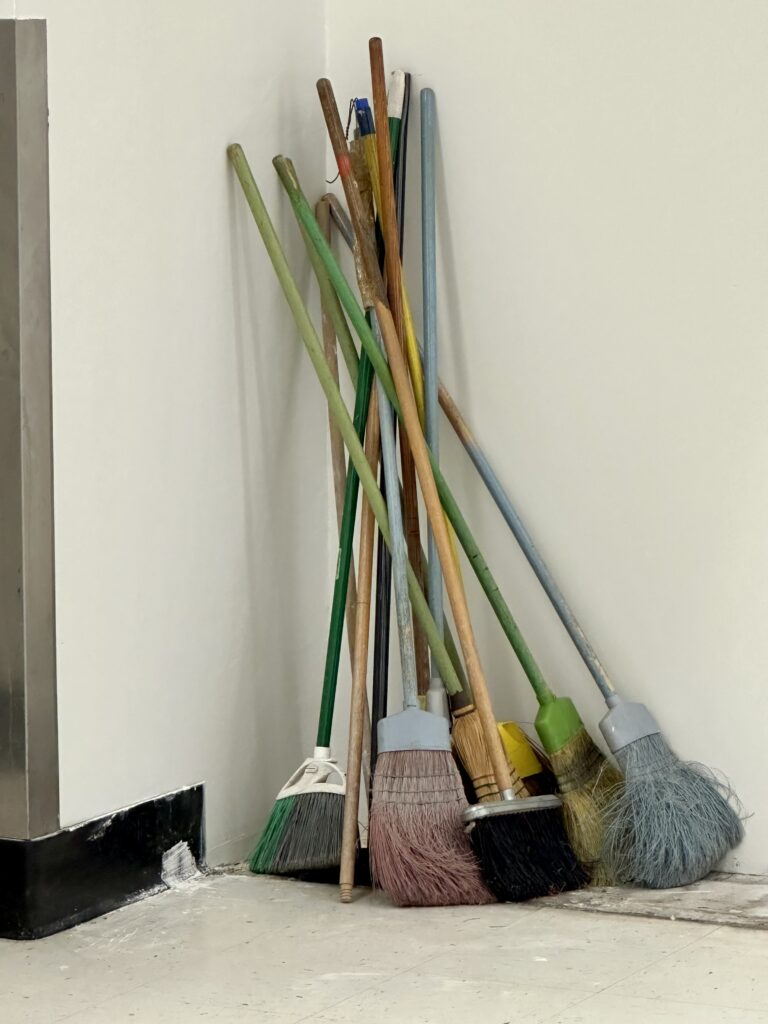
[246,950]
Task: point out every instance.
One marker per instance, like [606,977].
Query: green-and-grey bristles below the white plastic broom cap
[306,836]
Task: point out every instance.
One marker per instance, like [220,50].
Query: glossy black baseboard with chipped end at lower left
[77,874]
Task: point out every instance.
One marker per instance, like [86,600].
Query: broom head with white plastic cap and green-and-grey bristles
[304,832]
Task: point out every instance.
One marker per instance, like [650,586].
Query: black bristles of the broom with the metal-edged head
[526,855]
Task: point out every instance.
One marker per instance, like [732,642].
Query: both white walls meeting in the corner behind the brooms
[604,252]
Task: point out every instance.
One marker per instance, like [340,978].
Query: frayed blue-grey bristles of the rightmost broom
[672,823]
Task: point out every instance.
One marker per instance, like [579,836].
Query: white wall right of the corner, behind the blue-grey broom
[604,257]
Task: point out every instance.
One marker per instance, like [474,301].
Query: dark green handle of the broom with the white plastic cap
[345,561]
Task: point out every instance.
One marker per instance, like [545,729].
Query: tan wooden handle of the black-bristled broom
[451,576]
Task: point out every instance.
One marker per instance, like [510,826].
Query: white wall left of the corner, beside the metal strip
[191,482]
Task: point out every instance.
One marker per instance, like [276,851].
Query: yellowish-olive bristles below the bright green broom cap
[588,783]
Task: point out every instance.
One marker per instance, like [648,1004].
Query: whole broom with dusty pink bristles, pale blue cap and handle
[420,855]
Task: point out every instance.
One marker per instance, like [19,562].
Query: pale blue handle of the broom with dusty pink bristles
[399,548]
